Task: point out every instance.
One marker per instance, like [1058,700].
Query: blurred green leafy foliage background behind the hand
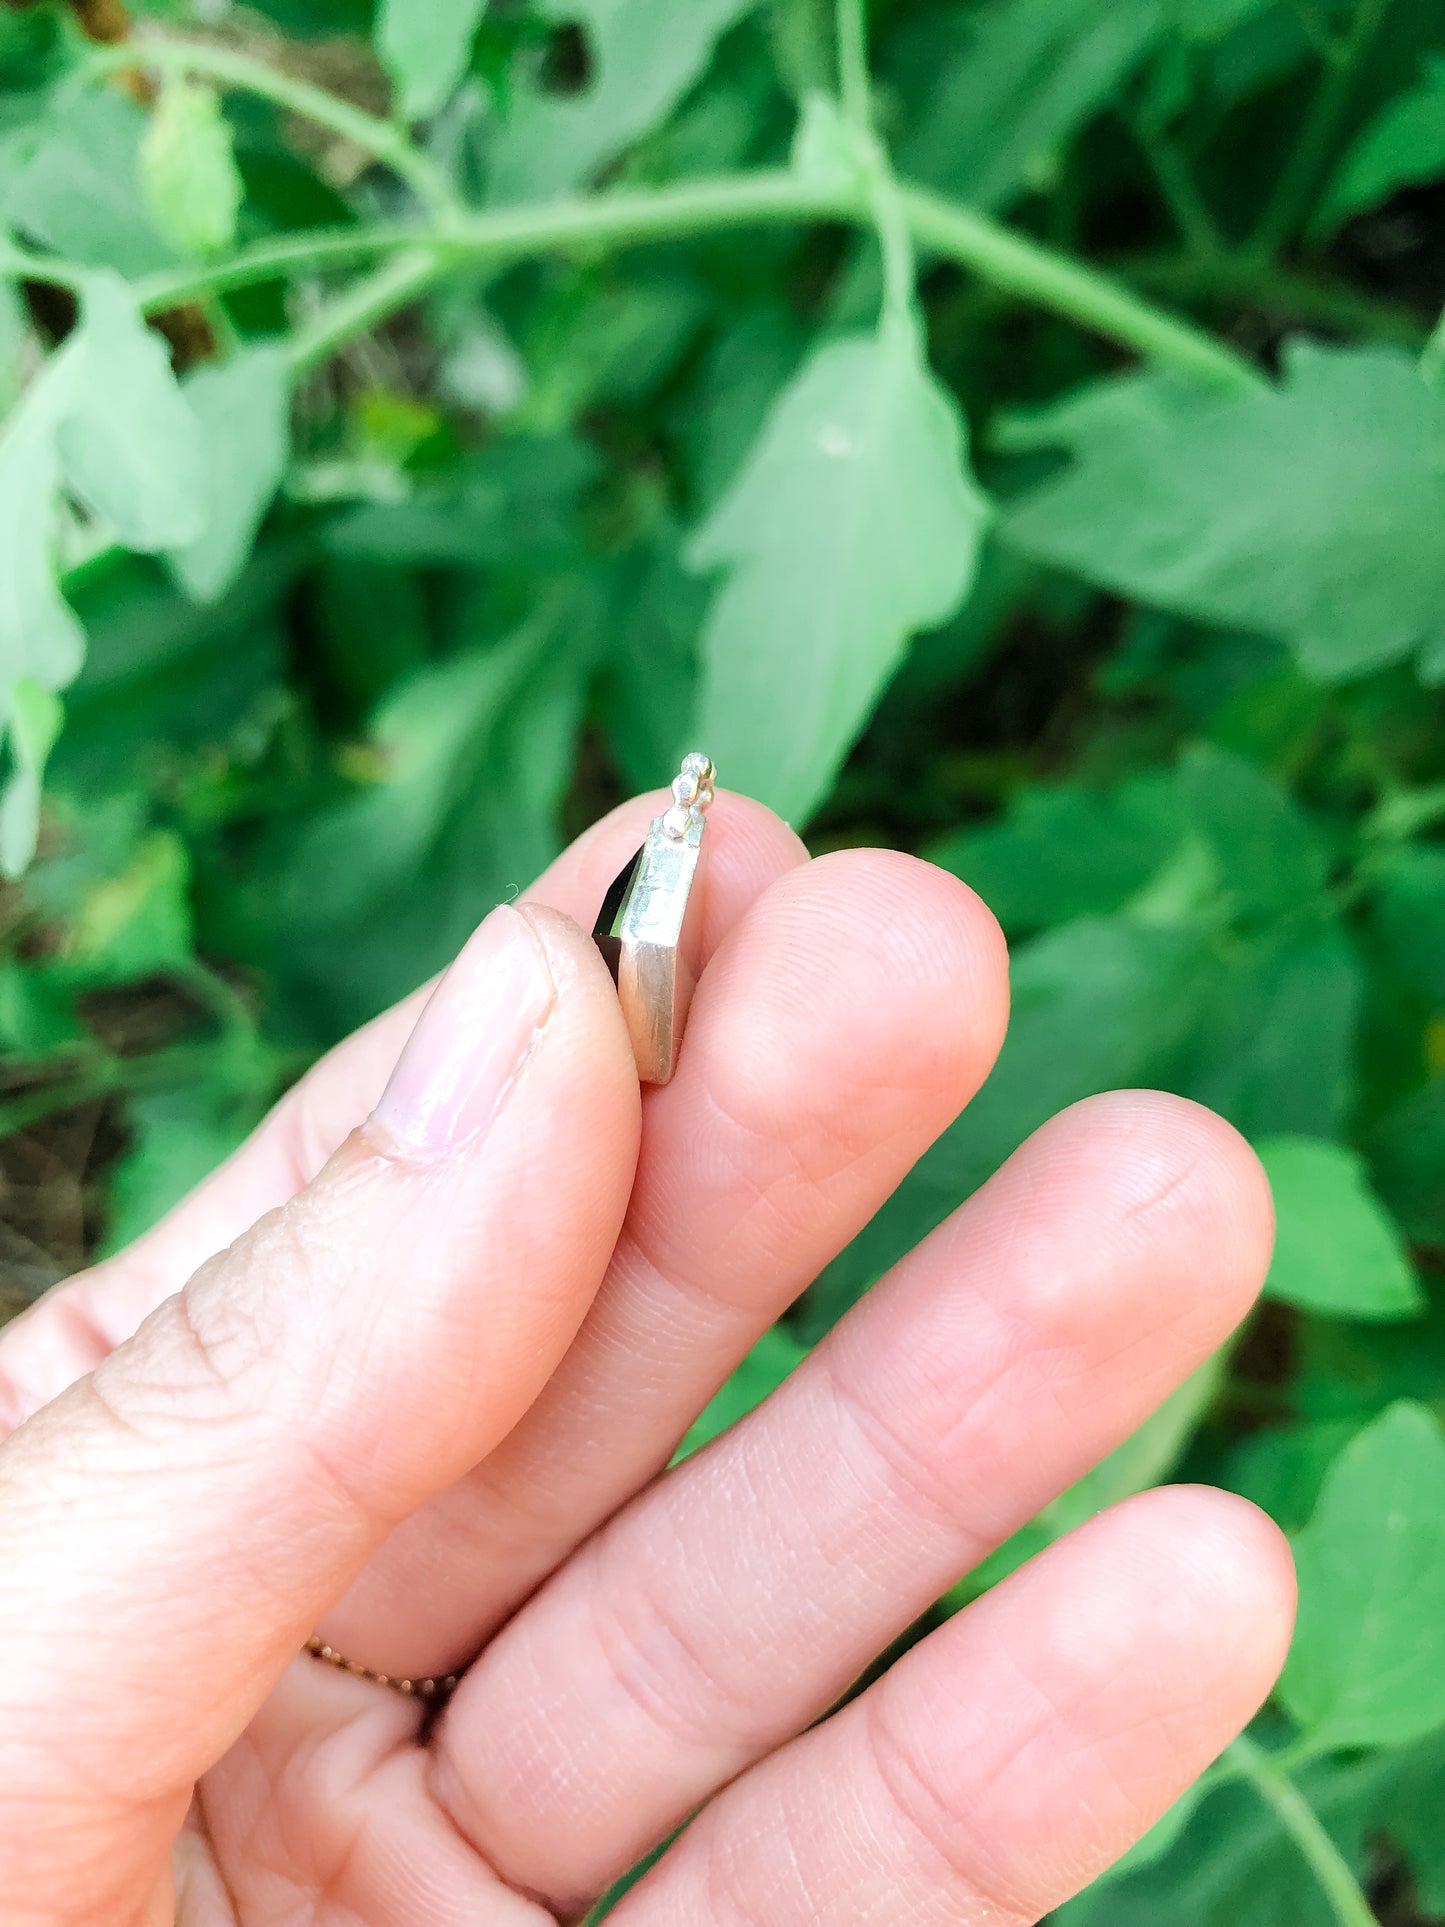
[463,521]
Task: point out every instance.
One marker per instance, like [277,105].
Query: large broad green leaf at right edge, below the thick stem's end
[1311,512]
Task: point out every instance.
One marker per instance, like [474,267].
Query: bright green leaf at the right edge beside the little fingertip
[1369,1658]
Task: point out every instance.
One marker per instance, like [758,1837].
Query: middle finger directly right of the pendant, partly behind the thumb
[839,1030]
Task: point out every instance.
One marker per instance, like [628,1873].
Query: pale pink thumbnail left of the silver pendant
[471,1042]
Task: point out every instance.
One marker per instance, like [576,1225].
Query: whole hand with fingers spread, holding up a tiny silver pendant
[423,1398]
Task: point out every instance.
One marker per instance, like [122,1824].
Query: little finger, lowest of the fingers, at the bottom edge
[1018,1751]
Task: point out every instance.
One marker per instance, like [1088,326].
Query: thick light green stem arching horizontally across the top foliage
[1007,261]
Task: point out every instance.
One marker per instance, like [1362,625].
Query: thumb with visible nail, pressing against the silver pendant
[176,1523]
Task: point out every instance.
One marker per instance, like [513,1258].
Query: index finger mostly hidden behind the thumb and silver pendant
[76,1325]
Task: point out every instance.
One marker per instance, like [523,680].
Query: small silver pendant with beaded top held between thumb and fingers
[648,926]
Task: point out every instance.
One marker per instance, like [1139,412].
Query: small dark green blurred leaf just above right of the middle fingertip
[1068,853]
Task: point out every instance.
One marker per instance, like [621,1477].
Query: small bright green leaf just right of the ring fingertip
[1336,1250]
